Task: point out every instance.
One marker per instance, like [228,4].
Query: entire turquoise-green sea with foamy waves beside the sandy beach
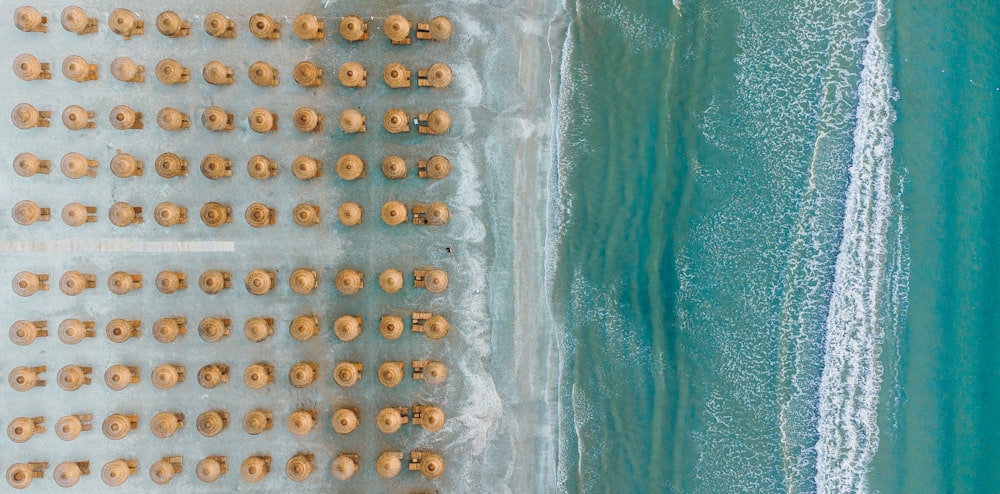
[776,239]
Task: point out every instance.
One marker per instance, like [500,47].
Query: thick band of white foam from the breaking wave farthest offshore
[852,371]
